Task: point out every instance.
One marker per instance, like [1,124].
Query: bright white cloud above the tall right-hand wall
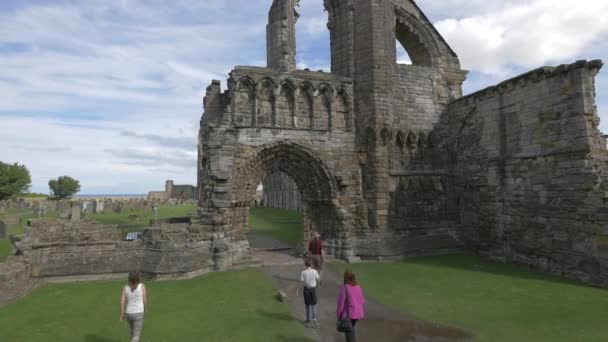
[526,33]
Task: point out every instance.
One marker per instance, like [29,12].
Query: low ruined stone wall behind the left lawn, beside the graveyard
[60,251]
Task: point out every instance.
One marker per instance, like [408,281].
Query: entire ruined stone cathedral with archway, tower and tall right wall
[391,160]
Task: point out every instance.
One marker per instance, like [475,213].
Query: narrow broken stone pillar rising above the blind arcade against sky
[281,35]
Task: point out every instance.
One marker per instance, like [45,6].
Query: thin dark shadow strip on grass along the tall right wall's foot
[474,263]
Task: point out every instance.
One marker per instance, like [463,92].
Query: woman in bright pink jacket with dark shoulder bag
[353,294]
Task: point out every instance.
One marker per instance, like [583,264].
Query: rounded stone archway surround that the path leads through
[314,179]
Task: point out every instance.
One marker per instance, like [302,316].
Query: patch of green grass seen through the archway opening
[281,224]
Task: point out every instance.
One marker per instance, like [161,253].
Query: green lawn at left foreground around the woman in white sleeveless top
[233,306]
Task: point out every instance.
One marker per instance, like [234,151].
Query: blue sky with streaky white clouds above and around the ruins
[110,92]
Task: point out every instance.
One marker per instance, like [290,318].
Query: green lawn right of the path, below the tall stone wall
[495,302]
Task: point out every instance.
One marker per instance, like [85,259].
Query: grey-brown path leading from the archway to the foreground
[381,323]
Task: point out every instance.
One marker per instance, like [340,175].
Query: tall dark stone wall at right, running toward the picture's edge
[530,171]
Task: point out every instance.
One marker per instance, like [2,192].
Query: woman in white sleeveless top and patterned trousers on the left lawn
[135,298]
